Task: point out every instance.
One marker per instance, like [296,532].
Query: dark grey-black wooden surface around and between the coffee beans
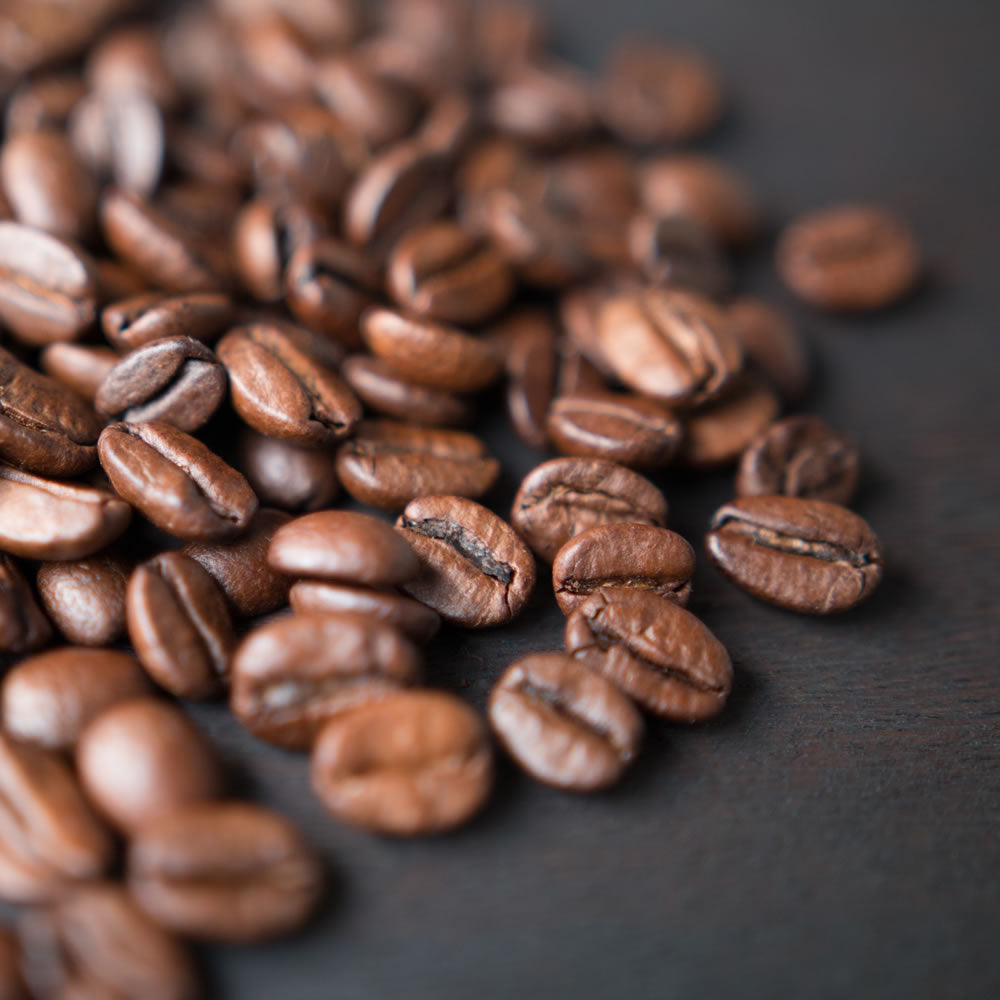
[835,833]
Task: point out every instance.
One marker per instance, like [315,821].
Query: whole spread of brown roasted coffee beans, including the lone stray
[256,254]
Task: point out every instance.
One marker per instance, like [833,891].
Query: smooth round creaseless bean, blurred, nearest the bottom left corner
[141,759]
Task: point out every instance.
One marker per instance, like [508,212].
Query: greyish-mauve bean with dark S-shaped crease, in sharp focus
[178,381]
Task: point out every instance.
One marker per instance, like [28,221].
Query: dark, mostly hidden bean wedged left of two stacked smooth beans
[240,567]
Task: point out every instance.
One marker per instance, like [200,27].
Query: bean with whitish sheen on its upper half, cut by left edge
[48,287]
